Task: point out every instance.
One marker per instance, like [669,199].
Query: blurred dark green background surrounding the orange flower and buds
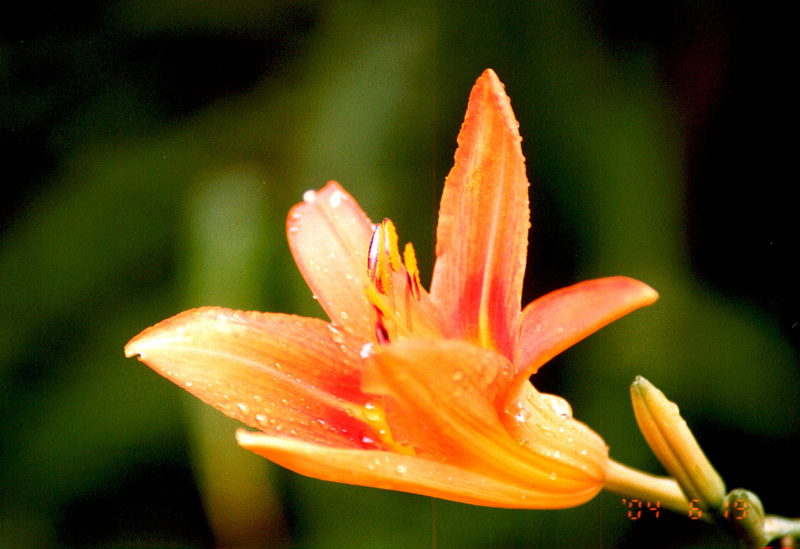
[151,151]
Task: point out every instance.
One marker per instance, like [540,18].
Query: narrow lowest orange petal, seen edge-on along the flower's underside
[401,472]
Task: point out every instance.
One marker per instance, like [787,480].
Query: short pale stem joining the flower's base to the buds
[632,483]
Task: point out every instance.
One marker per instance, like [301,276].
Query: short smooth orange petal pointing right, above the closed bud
[560,319]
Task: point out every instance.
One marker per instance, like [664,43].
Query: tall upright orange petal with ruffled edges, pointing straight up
[483,224]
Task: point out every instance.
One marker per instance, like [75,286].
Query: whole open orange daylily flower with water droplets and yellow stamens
[403,389]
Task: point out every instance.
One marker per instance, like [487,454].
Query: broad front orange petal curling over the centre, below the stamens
[454,388]
